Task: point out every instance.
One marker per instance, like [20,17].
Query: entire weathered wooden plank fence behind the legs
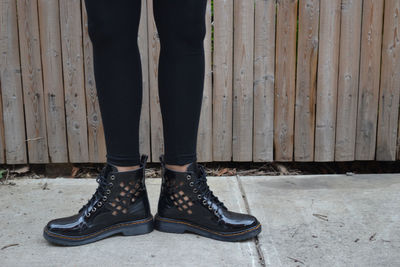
[286,80]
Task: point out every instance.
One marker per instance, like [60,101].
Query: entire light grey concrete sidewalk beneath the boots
[330,220]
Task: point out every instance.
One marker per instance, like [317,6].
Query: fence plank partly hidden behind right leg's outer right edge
[204,136]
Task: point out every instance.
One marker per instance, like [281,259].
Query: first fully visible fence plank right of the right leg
[222,80]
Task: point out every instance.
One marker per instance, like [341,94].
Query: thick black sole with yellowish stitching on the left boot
[138,227]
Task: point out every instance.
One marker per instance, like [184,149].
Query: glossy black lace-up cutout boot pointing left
[119,205]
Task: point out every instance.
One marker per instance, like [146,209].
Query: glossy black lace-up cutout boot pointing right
[187,204]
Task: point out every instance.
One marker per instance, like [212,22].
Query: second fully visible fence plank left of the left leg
[50,43]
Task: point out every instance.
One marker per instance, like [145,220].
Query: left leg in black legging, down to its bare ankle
[113,30]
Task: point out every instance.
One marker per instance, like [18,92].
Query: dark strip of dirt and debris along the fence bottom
[82,170]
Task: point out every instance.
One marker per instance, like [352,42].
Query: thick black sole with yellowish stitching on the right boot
[179,227]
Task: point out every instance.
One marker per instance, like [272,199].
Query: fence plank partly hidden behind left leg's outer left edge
[96,139]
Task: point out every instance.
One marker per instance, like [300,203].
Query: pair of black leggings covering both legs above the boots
[113,29]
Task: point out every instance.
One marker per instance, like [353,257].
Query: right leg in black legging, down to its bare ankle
[181,27]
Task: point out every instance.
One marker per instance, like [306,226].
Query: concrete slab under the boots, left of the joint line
[26,208]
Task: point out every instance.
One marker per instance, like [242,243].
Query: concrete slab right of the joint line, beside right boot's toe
[332,220]
